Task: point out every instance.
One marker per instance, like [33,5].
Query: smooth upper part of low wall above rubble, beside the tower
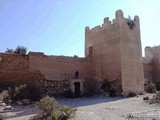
[59,67]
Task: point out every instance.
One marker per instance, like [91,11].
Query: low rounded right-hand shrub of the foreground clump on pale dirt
[63,112]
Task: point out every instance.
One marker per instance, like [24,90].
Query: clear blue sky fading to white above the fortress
[56,27]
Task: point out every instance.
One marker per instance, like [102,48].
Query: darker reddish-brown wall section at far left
[13,67]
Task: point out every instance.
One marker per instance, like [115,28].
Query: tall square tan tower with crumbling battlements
[115,51]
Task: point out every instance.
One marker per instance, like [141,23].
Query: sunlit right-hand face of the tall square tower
[131,56]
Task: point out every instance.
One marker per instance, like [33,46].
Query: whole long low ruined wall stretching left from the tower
[54,72]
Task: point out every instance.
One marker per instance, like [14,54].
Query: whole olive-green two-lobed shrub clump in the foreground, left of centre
[49,110]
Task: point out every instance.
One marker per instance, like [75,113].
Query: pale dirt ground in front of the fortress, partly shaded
[97,107]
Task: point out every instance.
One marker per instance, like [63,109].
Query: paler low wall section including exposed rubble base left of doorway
[59,71]
